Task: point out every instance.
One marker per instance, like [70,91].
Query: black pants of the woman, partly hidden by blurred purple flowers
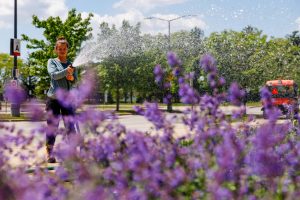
[56,110]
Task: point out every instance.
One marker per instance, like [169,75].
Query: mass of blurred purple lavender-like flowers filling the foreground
[213,159]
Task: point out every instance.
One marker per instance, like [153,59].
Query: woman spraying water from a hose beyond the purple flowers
[63,76]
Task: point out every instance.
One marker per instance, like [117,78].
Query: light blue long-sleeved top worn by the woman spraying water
[58,72]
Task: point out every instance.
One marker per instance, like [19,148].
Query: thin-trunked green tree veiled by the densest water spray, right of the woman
[118,50]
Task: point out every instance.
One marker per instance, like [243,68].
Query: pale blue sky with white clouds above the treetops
[276,18]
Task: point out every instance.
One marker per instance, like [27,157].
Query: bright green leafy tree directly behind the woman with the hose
[74,28]
